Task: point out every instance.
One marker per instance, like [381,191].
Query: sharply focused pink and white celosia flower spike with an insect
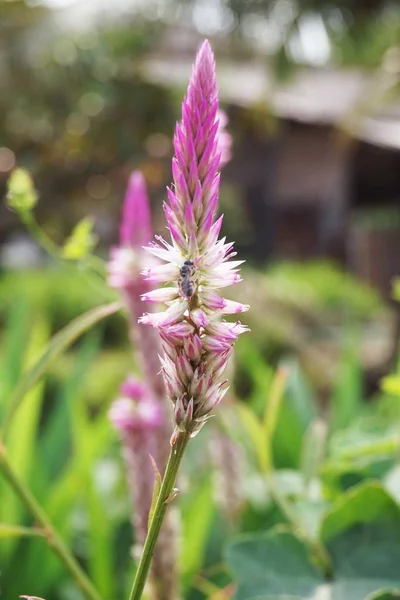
[197,341]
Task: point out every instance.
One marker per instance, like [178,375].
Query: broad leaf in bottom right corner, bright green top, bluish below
[362,532]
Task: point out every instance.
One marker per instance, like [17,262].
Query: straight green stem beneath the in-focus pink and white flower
[160,509]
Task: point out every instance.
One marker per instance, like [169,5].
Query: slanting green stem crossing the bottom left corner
[55,542]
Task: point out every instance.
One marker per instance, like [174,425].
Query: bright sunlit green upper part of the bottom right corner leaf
[364,503]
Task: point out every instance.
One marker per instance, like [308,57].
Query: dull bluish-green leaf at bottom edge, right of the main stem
[274,564]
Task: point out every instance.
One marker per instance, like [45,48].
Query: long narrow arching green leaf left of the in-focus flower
[62,340]
